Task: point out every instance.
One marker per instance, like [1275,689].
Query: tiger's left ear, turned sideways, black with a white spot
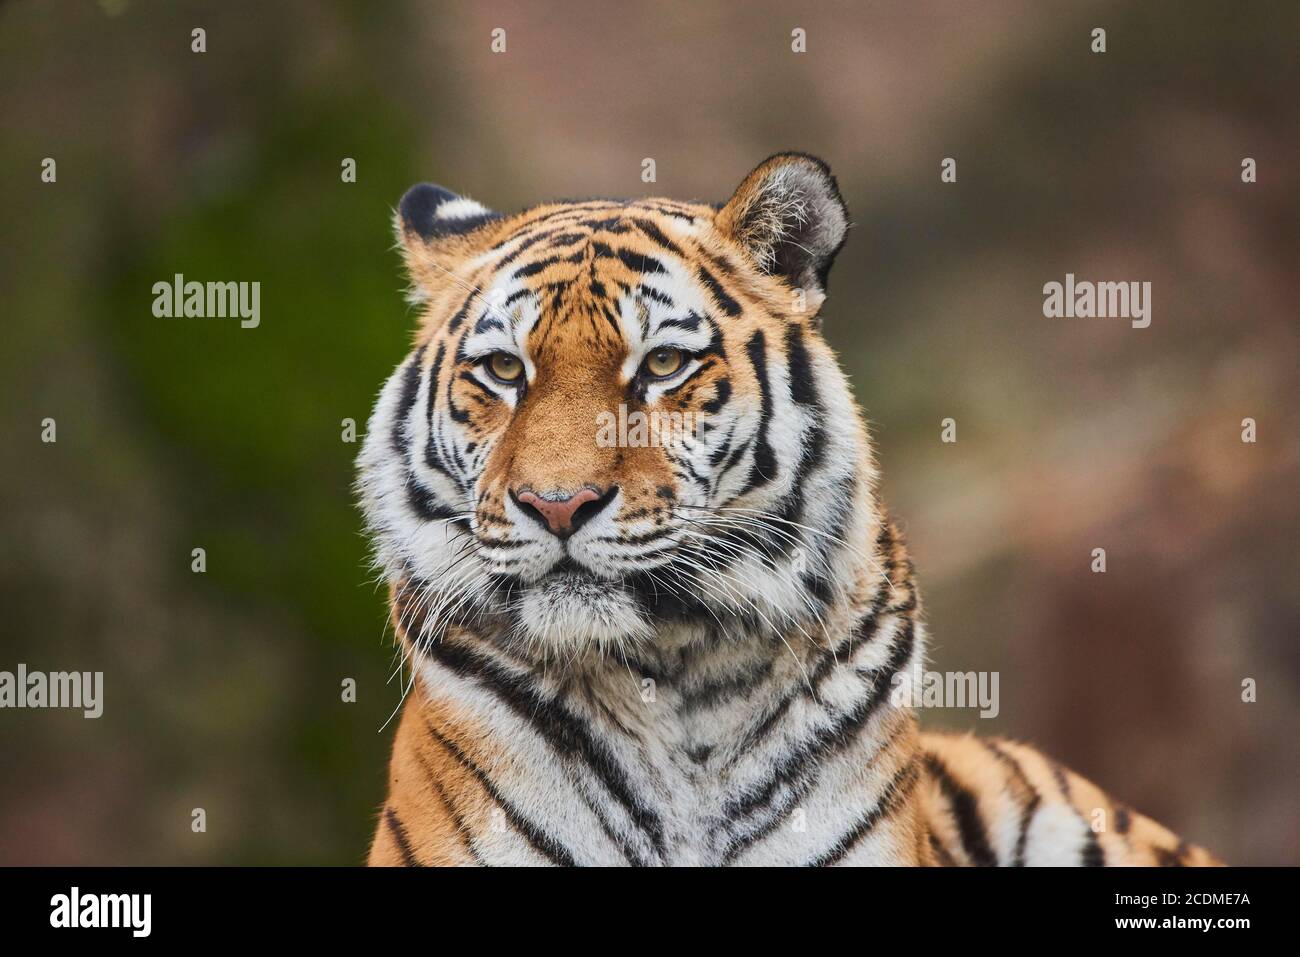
[434,226]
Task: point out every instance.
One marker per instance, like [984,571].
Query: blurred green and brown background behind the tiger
[223,691]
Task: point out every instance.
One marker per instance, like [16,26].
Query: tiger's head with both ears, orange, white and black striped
[619,418]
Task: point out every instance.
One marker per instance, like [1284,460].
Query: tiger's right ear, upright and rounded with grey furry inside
[790,218]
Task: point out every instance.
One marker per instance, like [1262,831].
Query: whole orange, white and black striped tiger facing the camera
[675,652]
